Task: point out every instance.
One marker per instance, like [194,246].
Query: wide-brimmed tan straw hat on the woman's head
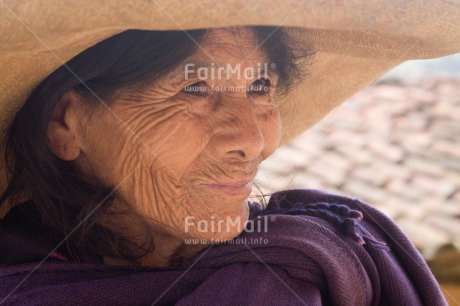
[355,42]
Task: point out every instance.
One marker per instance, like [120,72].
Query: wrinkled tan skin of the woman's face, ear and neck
[160,146]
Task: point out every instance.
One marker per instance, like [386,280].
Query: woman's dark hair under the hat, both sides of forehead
[64,199]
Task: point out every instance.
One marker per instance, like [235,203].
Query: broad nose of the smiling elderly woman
[238,134]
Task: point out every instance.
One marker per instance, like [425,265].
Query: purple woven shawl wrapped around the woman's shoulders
[316,251]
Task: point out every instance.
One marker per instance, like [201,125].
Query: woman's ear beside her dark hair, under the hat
[63,128]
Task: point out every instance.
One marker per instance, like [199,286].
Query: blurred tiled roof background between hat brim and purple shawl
[394,145]
